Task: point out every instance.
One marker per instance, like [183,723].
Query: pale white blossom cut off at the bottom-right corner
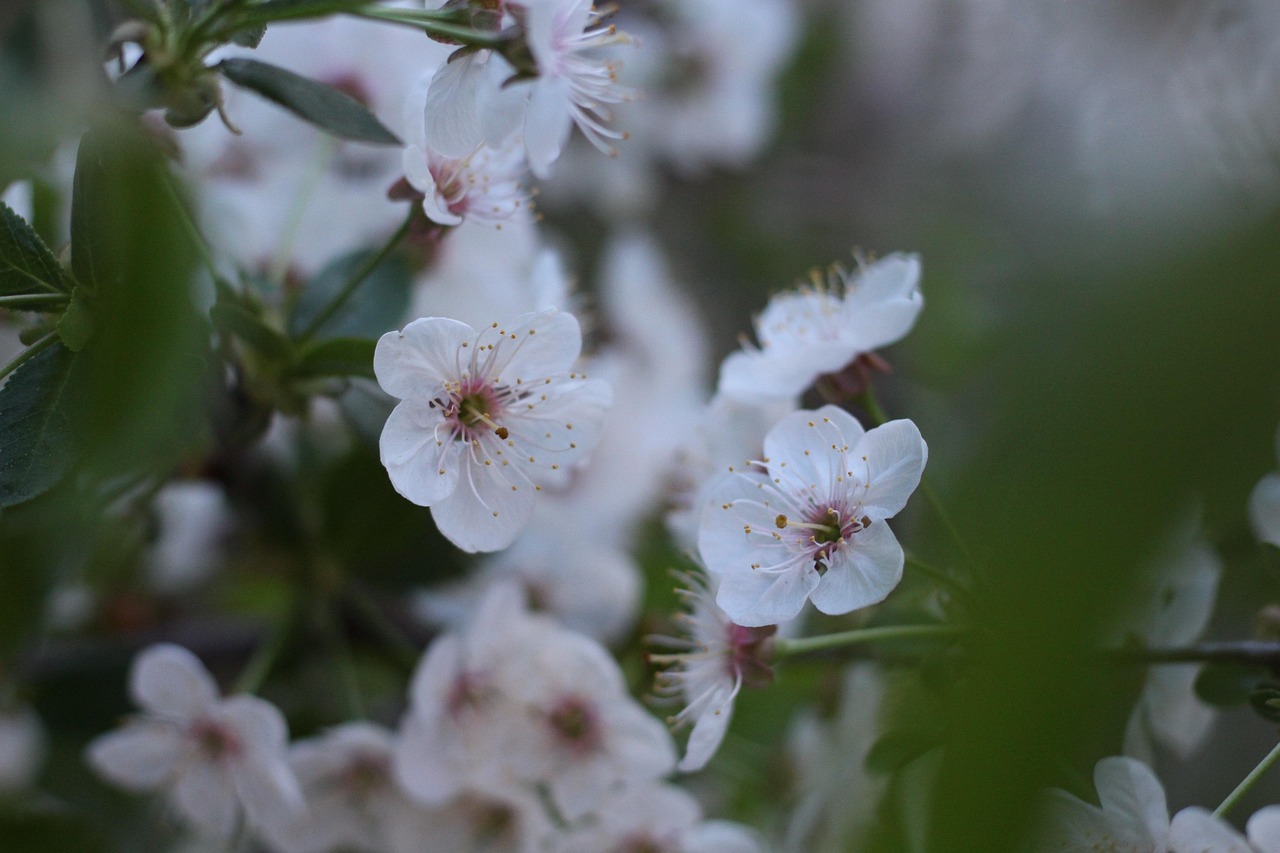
[1133,815]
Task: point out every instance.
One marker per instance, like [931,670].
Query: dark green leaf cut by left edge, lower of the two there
[36,441]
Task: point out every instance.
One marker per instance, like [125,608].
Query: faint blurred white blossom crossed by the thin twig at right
[1176,604]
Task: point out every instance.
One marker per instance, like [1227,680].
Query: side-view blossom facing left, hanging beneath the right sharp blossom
[714,660]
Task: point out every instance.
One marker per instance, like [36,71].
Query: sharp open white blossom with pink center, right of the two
[808,521]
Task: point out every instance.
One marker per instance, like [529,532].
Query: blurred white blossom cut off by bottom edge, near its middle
[657,819]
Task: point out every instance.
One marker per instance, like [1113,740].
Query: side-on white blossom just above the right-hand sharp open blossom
[808,334]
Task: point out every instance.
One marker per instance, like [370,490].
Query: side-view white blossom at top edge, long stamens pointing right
[574,86]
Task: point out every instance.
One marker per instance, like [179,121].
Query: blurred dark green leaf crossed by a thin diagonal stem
[378,307]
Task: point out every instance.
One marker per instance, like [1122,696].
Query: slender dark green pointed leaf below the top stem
[326,107]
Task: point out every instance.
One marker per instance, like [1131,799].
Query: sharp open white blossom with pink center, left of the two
[486,419]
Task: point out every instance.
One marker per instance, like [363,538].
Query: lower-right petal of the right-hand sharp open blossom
[862,573]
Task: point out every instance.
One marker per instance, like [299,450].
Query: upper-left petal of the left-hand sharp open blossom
[418,361]
